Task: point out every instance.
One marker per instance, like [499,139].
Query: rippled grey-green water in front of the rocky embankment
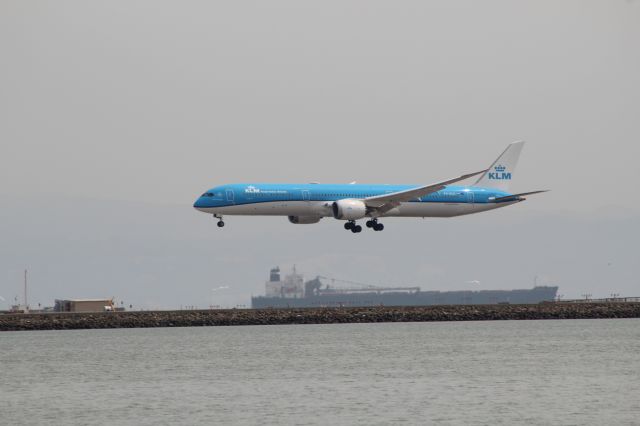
[571,372]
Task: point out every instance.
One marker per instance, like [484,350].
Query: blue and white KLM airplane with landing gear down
[309,203]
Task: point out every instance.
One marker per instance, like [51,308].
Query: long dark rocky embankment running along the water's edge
[199,318]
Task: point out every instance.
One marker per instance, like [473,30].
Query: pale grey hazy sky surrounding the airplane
[115,115]
